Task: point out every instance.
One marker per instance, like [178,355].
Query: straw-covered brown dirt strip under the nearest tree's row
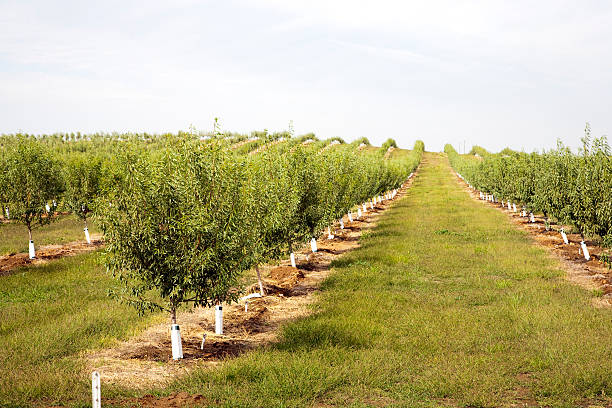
[145,360]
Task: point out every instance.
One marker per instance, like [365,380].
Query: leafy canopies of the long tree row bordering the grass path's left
[185,221]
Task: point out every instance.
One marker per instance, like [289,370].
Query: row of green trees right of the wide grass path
[572,189]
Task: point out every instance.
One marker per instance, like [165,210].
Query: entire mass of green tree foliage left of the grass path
[183,217]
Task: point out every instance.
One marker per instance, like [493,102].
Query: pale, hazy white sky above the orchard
[519,74]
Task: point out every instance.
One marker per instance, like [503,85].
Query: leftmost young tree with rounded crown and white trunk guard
[30,181]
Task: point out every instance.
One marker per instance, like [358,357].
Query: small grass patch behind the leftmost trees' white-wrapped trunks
[67,228]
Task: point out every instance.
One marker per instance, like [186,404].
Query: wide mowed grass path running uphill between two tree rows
[445,304]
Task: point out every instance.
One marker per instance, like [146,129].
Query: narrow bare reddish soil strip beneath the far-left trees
[45,253]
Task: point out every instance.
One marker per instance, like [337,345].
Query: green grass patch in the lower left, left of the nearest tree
[48,314]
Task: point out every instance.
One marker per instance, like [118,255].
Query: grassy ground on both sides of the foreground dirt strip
[445,304]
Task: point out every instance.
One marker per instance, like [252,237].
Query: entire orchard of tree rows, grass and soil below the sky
[415,278]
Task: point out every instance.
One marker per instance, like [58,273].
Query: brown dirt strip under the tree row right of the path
[592,274]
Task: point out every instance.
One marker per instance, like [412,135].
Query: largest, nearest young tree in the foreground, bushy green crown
[177,227]
